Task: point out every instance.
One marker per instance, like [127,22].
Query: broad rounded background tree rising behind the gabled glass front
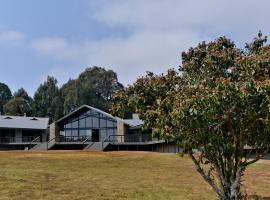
[94,87]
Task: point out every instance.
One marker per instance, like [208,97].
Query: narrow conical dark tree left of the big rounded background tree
[47,101]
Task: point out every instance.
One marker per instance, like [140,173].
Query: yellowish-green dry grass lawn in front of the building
[113,175]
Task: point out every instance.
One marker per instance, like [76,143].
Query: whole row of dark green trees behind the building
[94,87]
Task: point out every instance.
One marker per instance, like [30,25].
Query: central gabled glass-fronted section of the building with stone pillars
[89,122]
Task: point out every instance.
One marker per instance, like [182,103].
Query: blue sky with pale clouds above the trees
[63,37]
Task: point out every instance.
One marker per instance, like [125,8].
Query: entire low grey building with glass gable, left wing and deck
[86,128]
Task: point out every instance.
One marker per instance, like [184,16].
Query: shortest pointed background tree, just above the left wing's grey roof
[19,104]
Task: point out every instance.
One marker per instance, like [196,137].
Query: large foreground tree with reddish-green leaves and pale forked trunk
[216,108]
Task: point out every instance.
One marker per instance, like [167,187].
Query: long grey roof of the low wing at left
[16,122]
